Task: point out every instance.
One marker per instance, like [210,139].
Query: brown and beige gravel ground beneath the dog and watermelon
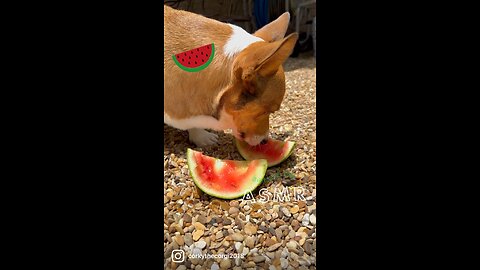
[256,235]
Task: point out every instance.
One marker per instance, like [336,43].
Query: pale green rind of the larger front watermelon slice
[253,183]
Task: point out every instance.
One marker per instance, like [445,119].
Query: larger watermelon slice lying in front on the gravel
[226,179]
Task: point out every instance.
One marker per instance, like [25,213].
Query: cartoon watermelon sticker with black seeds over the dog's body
[196,59]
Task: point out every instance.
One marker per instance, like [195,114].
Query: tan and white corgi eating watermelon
[242,85]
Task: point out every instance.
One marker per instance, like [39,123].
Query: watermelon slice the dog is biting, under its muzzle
[274,151]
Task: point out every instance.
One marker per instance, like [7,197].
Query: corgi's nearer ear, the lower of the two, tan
[262,59]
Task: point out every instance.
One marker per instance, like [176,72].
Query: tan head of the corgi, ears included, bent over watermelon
[258,84]
